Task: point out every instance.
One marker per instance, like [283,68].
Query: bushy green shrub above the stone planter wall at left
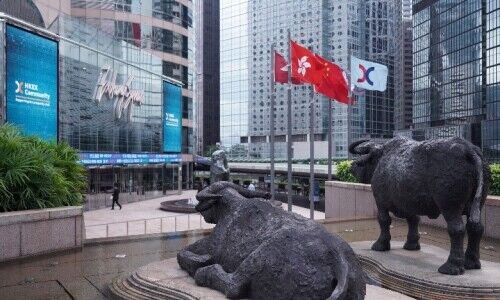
[35,174]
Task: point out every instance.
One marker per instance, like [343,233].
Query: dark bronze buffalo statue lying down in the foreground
[262,252]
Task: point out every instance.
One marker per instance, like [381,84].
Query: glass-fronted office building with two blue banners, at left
[102,92]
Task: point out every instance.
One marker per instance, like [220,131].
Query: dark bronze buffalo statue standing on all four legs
[412,179]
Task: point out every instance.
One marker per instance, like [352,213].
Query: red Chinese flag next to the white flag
[333,83]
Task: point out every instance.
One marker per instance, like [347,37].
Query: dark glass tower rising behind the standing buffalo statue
[454,72]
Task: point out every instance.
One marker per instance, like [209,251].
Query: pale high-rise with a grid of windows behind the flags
[334,29]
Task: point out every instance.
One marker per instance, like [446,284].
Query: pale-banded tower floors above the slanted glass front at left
[163,28]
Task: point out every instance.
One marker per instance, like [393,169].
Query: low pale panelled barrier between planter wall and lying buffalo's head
[171,224]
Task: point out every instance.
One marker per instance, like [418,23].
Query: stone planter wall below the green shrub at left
[34,232]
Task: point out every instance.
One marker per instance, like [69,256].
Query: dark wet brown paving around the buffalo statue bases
[86,274]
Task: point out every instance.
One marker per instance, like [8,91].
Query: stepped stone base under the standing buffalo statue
[414,273]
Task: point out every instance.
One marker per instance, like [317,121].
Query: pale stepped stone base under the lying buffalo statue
[165,280]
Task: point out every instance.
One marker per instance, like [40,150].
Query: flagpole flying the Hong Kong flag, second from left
[289,128]
